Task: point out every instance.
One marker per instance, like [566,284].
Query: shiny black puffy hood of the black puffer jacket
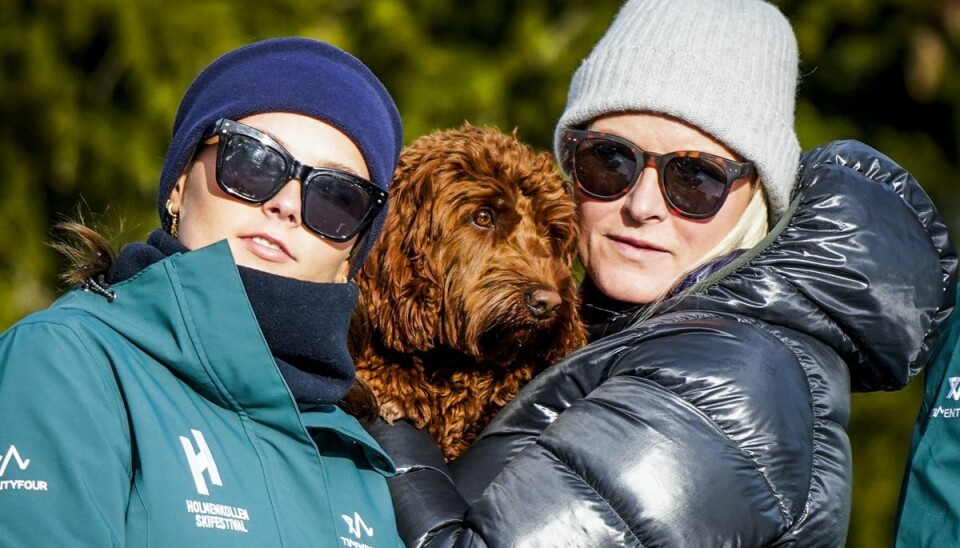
[862,261]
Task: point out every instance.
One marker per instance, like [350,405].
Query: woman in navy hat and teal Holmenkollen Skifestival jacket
[186,393]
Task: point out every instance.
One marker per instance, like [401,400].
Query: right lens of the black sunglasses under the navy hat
[335,207]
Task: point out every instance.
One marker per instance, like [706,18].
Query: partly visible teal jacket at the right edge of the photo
[929,513]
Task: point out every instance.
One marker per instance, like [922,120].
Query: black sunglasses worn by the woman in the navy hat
[253,167]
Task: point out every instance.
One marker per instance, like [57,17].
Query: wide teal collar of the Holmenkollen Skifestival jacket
[190,313]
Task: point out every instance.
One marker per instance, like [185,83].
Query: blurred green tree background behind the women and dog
[88,91]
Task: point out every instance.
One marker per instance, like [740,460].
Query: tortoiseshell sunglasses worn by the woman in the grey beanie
[694,184]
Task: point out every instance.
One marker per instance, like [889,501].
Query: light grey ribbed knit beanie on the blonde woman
[728,67]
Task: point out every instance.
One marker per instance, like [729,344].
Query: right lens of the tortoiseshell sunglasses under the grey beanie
[694,185]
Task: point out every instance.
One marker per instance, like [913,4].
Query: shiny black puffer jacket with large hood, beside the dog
[721,420]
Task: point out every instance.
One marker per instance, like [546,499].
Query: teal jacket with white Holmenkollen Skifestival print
[160,419]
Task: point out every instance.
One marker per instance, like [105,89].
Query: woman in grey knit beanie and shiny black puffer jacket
[736,291]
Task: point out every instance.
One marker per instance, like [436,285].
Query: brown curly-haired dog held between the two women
[469,292]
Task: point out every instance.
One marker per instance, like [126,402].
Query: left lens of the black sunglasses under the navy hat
[251,170]
